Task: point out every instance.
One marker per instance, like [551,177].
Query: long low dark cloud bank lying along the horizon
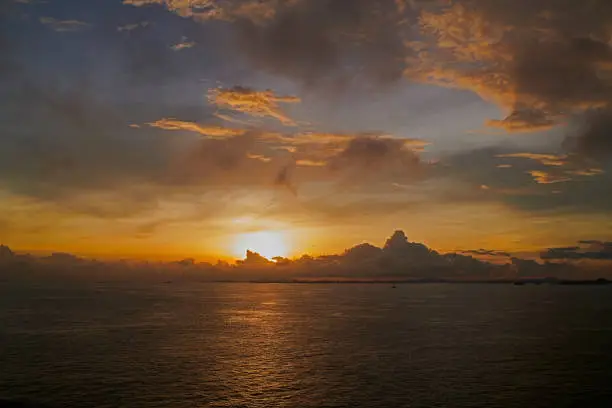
[398,259]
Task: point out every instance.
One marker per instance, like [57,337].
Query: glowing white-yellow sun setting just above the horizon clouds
[266,243]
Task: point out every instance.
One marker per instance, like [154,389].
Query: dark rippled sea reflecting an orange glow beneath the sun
[277,345]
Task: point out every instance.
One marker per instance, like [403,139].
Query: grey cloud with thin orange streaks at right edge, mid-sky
[583,190]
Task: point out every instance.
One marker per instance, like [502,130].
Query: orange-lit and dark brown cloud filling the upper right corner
[540,61]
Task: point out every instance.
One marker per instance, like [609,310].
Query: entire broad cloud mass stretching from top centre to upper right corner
[542,62]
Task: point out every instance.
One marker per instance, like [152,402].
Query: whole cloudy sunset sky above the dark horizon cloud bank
[164,129]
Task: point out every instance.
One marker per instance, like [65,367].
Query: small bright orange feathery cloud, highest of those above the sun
[252,102]
